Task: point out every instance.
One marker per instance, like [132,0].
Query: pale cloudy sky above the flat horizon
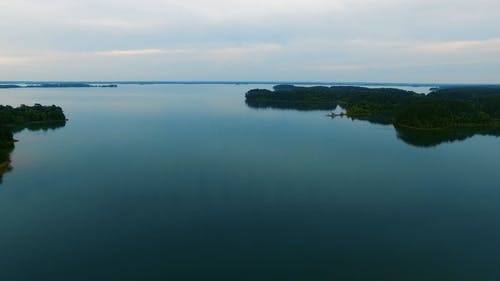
[447,41]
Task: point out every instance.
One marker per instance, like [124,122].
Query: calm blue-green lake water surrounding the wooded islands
[187,182]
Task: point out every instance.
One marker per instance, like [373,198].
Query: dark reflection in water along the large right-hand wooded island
[418,138]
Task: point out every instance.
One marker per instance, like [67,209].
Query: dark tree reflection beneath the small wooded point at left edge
[7,143]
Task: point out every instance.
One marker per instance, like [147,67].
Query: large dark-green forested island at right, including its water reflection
[445,114]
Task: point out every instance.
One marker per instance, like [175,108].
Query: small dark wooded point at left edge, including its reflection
[15,119]
